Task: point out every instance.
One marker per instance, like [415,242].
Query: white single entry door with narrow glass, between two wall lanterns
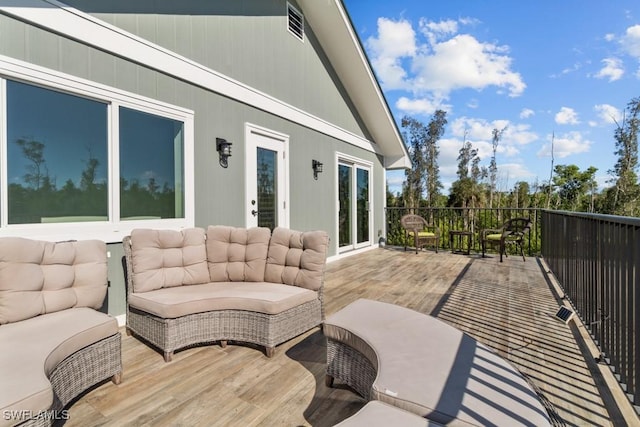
[267,166]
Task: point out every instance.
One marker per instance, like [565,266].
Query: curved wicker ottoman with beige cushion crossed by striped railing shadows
[422,365]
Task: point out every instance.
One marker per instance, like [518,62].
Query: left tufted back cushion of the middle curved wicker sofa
[166,258]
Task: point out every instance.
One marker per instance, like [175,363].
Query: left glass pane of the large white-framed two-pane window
[56,156]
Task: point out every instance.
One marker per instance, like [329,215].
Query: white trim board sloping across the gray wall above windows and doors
[72,23]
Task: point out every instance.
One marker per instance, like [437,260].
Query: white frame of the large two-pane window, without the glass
[112,230]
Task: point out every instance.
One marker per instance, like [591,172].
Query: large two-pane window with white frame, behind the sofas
[83,164]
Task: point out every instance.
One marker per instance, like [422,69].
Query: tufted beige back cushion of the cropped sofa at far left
[38,277]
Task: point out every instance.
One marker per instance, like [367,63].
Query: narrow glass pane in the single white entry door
[267,187]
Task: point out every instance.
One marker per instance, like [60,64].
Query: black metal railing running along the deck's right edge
[596,259]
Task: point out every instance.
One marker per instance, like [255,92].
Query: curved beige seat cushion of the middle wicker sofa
[267,298]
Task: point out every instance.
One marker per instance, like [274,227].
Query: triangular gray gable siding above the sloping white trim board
[246,40]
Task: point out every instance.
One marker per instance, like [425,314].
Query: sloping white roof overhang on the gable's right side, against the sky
[334,29]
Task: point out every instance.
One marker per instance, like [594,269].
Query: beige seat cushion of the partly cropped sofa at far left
[32,348]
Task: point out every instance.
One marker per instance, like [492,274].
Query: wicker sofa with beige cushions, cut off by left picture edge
[55,343]
